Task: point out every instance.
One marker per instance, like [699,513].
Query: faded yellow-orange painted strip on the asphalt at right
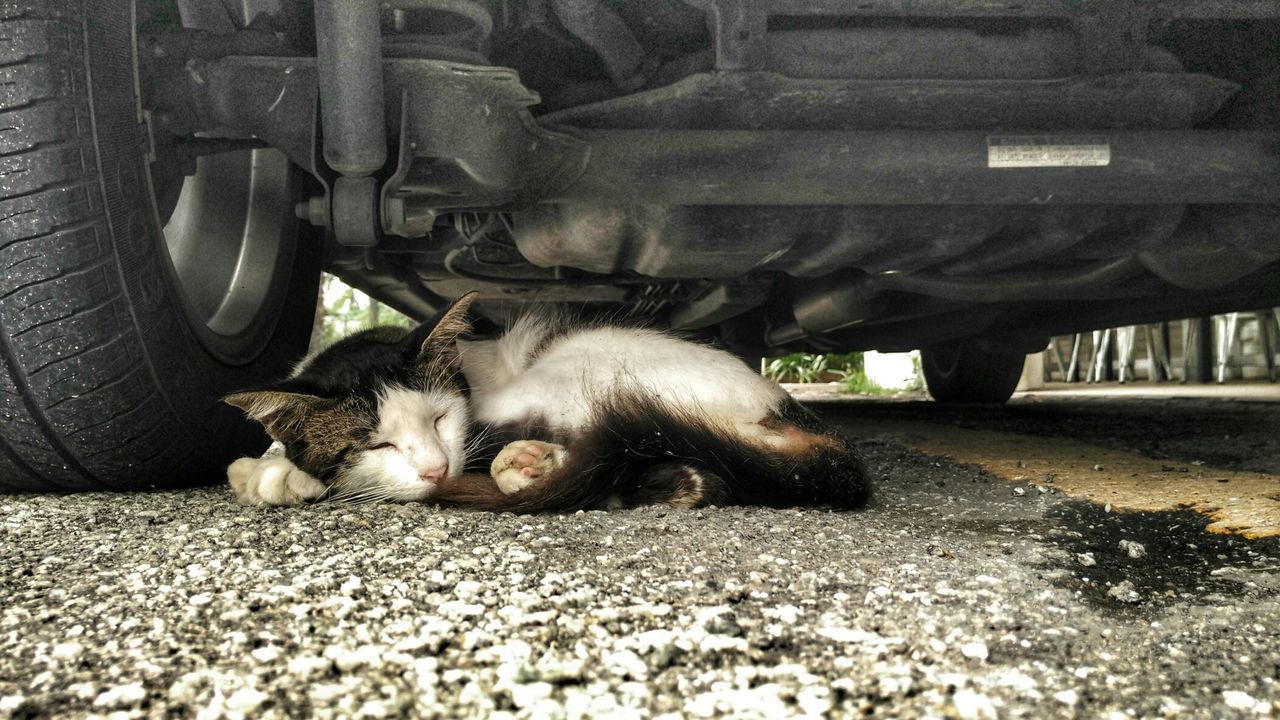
[1247,504]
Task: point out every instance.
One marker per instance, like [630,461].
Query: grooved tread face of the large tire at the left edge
[62,361]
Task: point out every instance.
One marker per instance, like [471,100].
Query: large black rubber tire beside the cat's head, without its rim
[104,382]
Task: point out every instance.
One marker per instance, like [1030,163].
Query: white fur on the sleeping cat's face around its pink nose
[428,436]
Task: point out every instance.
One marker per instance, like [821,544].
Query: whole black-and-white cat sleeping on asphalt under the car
[586,416]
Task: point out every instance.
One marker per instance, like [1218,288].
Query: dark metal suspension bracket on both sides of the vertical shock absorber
[468,139]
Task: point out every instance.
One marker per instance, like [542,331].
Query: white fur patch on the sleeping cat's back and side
[564,380]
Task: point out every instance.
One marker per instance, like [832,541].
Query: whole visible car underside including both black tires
[964,177]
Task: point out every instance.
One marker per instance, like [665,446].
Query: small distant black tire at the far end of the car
[971,372]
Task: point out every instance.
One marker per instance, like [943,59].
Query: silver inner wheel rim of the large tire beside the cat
[231,243]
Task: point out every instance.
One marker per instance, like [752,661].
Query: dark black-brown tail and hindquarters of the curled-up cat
[644,452]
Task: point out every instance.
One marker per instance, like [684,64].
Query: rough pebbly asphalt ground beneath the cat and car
[1050,559]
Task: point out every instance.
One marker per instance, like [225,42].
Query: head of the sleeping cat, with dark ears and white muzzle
[394,430]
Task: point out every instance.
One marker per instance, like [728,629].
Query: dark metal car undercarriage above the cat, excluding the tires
[780,175]
